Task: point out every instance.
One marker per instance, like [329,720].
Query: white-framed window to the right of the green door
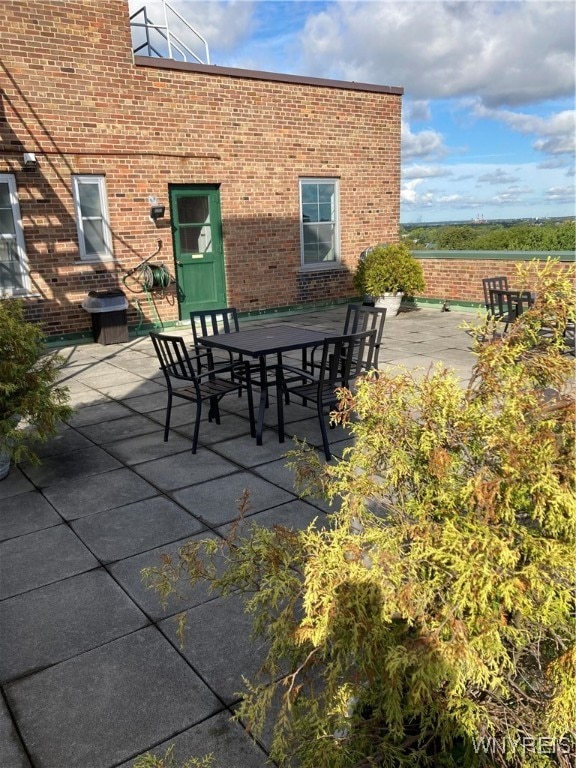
[319,221]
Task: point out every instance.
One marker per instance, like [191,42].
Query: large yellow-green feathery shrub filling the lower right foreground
[431,623]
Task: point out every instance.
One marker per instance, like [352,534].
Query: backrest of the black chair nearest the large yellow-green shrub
[344,358]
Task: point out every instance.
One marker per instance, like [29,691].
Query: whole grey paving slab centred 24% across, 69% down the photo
[134,528]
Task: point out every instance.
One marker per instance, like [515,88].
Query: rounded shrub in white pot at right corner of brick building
[387,273]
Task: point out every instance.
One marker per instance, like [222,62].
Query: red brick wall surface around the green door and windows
[73,95]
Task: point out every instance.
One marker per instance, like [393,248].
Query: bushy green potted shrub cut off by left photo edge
[31,404]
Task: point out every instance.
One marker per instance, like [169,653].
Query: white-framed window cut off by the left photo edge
[14,278]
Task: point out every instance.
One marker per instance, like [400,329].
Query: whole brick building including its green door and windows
[271,185]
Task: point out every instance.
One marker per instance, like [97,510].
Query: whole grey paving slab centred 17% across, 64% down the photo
[84,496]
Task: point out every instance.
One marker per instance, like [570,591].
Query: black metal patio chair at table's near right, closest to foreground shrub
[344,358]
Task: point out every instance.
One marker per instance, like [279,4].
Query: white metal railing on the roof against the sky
[158,39]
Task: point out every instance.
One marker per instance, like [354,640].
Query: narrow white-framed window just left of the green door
[90,202]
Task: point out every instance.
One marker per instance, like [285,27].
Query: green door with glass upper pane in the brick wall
[198,254]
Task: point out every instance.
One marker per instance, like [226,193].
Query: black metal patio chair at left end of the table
[179,367]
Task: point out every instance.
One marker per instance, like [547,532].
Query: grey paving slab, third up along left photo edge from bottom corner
[40,558]
